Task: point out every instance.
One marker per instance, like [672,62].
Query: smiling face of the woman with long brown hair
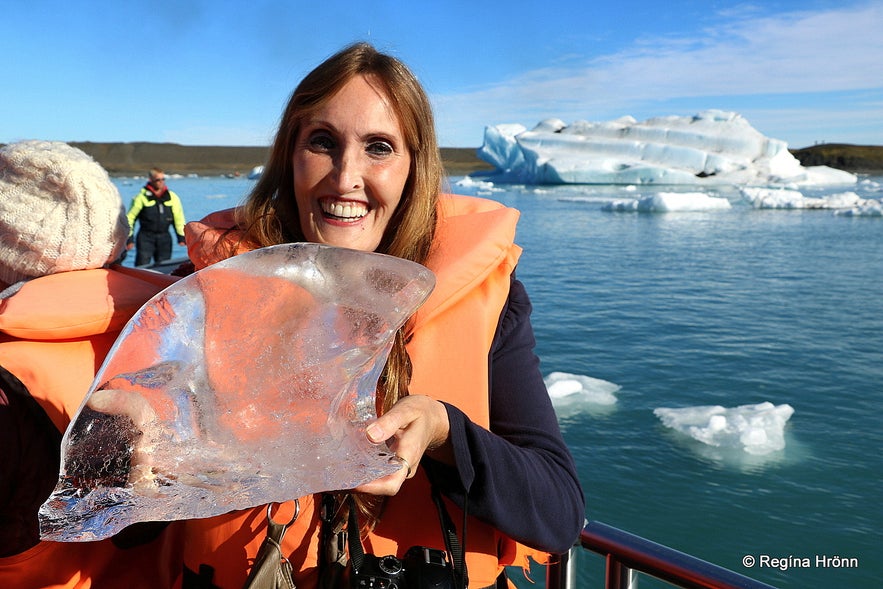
[351,164]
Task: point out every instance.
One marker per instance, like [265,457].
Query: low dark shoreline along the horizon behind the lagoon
[135,159]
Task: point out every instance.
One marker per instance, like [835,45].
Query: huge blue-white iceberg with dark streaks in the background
[712,147]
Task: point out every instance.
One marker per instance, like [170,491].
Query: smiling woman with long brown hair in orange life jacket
[356,164]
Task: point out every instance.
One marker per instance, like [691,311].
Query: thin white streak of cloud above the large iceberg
[827,51]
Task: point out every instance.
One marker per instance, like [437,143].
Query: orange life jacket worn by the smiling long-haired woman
[449,341]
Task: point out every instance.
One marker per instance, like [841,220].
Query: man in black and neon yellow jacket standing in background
[156,208]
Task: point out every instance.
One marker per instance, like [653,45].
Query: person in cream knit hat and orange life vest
[63,302]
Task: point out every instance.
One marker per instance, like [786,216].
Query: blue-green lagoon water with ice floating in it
[729,308]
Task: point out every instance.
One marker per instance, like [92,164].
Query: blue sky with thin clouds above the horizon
[215,72]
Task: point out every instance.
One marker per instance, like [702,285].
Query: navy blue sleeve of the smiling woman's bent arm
[520,476]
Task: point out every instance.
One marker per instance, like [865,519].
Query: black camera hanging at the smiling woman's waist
[421,568]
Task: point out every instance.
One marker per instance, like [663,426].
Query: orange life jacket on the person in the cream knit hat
[54,334]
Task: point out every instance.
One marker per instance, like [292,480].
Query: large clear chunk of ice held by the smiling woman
[245,383]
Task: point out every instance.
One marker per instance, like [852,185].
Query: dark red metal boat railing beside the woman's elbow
[627,555]
